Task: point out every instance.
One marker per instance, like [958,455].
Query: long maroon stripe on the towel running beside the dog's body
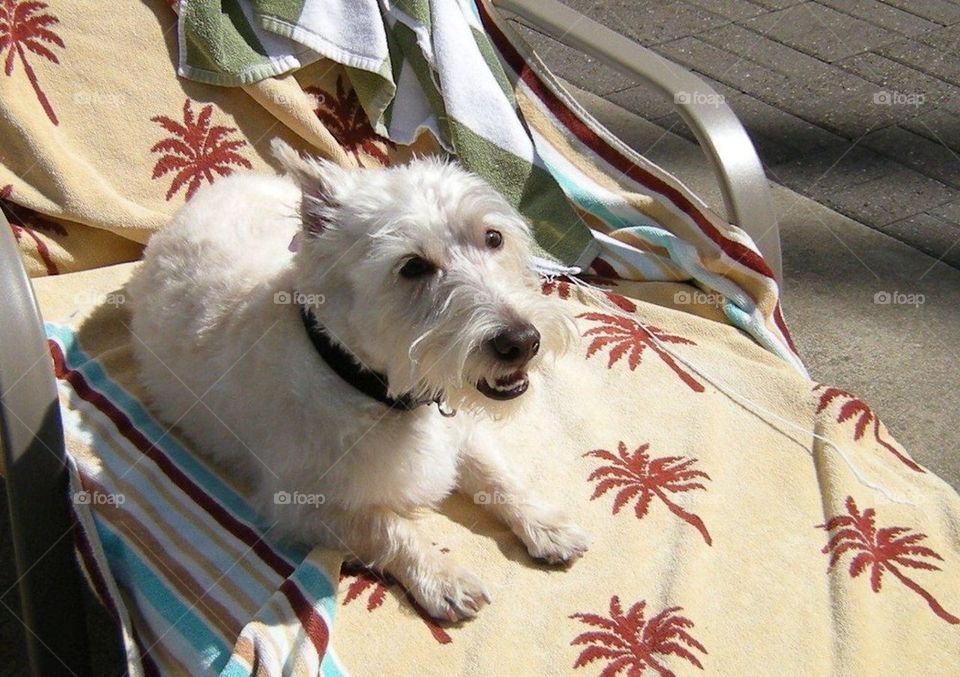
[177,476]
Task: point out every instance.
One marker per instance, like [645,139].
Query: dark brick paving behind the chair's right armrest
[854,103]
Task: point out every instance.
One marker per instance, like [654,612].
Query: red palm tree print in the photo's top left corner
[23,26]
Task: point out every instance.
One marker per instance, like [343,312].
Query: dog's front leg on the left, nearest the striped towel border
[384,540]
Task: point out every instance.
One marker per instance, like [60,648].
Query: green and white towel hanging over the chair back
[416,65]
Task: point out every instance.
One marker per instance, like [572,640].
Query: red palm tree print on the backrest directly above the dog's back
[196,150]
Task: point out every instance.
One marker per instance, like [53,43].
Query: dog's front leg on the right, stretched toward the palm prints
[547,533]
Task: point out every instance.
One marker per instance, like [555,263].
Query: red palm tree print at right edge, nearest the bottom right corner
[882,550]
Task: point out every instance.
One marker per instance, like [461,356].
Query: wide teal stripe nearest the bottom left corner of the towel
[141,580]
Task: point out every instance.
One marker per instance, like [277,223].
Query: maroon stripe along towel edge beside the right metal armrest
[735,250]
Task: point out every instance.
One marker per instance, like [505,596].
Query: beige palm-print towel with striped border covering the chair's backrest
[99,152]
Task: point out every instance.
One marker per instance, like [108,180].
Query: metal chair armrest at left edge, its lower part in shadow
[31,437]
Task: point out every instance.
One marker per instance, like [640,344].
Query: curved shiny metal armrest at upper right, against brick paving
[743,184]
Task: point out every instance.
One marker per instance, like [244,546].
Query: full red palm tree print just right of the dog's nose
[627,338]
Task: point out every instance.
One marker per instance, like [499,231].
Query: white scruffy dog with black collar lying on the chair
[327,377]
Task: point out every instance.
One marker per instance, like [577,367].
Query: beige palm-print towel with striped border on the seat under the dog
[794,536]
